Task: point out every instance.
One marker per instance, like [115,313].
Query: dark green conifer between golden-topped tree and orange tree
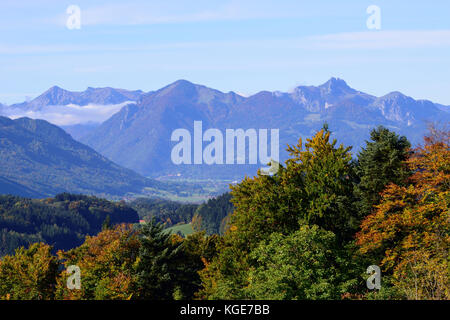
[381,162]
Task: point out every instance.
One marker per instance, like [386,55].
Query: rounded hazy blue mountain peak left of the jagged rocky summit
[139,135]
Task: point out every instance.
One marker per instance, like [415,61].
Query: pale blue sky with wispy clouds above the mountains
[243,46]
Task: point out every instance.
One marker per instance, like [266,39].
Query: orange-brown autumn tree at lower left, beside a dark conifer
[106,261]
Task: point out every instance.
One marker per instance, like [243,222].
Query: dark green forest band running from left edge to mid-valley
[65,220]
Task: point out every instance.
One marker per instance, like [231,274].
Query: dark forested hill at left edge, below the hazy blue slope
[63,221]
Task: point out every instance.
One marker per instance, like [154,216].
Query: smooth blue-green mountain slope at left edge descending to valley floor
[46,160]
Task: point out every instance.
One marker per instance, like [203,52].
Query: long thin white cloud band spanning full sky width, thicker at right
[401,39]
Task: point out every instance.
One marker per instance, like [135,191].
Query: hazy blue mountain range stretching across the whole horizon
[138,135]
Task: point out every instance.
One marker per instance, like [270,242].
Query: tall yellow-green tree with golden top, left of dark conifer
[326,173]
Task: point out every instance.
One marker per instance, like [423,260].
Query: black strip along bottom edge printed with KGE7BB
[222,309]
